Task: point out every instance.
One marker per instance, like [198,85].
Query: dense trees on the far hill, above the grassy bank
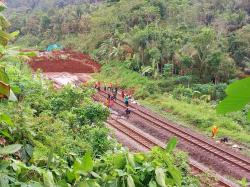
[206,39]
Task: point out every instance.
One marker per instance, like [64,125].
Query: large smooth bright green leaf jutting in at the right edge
[238,96]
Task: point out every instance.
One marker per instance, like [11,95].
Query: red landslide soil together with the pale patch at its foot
[65,66]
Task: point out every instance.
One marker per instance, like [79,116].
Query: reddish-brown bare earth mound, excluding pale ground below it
[64,61]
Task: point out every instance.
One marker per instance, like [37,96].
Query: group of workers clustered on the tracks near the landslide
[112,96]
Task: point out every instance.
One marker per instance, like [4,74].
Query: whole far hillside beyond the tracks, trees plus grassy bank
[186,49]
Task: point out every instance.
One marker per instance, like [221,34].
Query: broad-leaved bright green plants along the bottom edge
[115,168]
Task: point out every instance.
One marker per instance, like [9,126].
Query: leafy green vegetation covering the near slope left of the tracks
[58,138]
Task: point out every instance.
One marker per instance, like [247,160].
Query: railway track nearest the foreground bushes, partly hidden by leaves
[147,142]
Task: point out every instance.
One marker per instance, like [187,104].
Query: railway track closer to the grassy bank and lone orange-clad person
[223,154]
